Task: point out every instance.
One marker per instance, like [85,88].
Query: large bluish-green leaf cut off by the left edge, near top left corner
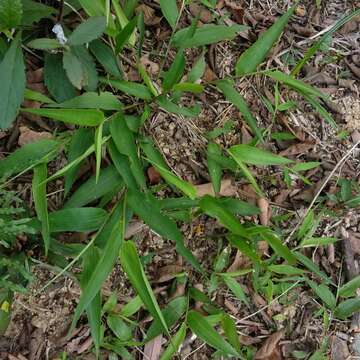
[12,89]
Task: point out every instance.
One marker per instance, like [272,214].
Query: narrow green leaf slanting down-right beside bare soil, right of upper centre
[230,93]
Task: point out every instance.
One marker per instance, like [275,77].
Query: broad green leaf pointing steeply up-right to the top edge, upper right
[251,58]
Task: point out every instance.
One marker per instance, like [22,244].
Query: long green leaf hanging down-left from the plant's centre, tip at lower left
[104,265]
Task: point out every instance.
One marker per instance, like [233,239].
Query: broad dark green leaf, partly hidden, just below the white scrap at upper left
[55,78]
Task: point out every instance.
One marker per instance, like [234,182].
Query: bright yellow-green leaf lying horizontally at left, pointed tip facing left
[83,117]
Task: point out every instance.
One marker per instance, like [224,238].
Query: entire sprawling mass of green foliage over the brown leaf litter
[88,93]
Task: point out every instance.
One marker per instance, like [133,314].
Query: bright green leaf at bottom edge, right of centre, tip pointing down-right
[201,327]
